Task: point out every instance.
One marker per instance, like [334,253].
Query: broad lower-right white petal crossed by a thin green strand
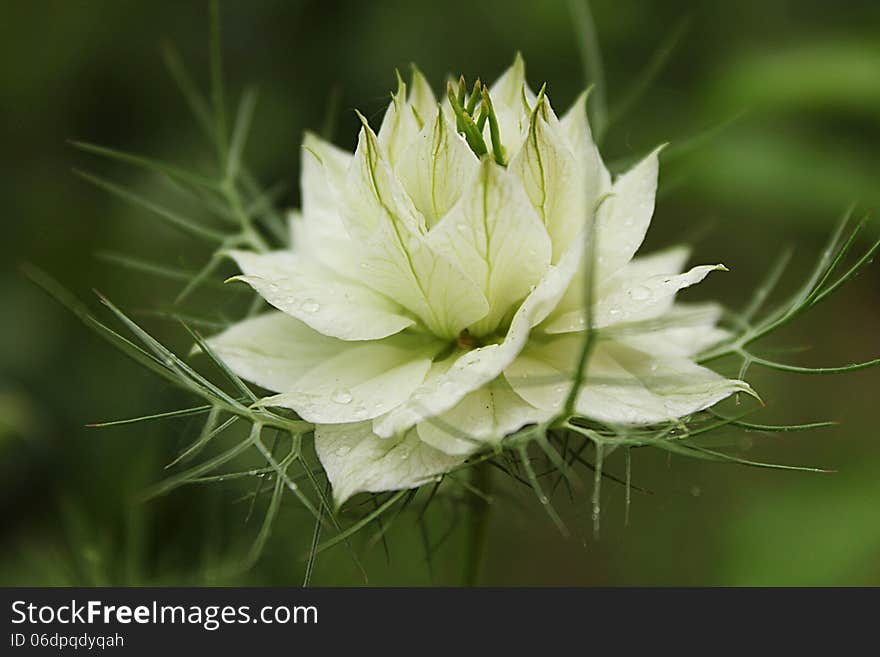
[623,385]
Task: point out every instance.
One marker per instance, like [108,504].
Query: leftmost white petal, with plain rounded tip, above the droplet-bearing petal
[273,350]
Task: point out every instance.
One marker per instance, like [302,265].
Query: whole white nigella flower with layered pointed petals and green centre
[432,300]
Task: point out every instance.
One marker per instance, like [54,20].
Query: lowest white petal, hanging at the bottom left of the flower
[356,460]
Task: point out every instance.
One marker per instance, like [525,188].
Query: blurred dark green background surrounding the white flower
[773,112]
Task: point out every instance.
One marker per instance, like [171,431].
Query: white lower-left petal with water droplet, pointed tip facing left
[361,381]
